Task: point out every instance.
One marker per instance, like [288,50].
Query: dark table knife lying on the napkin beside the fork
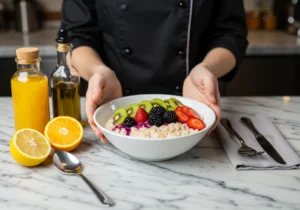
[264,143]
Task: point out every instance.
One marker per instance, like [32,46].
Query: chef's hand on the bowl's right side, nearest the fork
[202,85]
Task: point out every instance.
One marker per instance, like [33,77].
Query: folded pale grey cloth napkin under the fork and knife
[264,125]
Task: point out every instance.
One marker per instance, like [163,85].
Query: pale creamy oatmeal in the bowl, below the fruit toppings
[147,131]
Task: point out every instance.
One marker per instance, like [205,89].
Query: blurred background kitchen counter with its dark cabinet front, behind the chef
[271,66]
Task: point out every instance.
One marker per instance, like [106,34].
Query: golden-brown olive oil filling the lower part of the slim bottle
[66,99]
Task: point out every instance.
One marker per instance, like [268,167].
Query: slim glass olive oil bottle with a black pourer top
[65,81]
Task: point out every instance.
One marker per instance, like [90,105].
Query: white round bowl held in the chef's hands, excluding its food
[152,149]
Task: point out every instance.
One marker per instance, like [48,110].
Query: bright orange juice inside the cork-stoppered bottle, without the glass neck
[30,101]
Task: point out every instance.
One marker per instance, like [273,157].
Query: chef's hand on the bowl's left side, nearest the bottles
[103,87]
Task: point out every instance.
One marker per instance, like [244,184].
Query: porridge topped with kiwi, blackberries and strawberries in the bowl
[155,119]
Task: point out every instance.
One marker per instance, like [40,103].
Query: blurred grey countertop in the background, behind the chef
[260,43]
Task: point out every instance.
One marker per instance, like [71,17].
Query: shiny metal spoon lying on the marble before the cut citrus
[68,164]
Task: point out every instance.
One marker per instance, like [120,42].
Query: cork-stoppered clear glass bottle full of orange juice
[30,94]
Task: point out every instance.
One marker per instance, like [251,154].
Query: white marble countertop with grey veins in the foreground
[202,178]
